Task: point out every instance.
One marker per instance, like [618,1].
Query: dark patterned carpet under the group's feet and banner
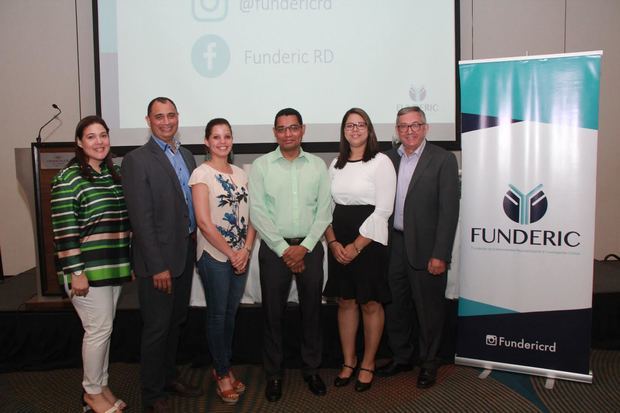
[458,390]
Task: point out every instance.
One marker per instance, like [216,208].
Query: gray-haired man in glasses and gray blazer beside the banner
[422,234]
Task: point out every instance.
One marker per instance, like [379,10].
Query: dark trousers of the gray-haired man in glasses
[417,309]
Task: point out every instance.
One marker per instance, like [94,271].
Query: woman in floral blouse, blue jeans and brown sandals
[220,196]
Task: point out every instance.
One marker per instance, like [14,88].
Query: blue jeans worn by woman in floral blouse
[223,291]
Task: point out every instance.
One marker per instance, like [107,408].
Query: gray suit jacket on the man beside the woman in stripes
[157,210]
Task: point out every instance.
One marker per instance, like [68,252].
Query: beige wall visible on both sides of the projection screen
[47,57]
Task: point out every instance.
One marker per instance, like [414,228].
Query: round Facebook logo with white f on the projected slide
[210,56]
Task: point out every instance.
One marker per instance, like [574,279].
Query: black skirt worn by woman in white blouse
[365,278]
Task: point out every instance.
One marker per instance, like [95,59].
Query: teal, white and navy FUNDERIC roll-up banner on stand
[529,138]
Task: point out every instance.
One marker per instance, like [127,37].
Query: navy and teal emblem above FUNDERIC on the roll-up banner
[525,208]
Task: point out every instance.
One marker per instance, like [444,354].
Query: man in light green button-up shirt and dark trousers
[290,207]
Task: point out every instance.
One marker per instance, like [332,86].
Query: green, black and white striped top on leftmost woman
[91,227]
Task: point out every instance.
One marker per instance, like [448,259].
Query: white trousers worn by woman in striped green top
[96,310]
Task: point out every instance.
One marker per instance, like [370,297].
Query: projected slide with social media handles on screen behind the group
[246,59]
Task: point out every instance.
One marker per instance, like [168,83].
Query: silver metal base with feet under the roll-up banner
[515,368]
